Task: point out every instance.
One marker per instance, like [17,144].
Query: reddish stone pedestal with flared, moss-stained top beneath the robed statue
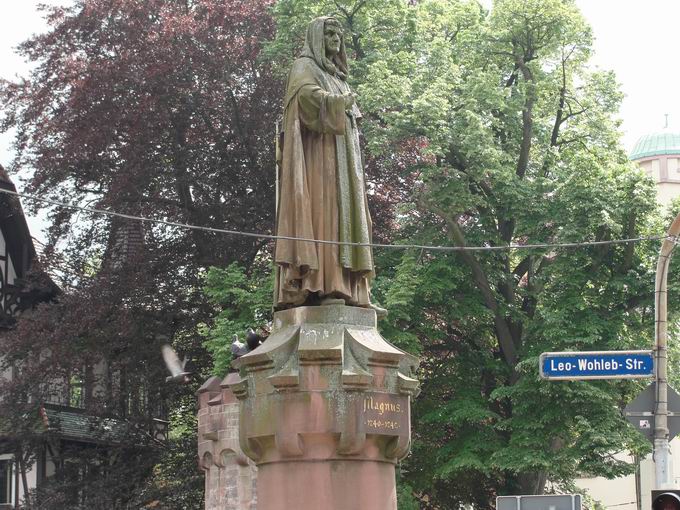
[325,411]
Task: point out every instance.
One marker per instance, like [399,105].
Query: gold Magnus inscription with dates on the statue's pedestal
[383,413]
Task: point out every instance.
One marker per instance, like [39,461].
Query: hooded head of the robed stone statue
[324,43]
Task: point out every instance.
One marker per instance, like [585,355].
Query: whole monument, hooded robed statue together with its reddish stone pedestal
[325,400]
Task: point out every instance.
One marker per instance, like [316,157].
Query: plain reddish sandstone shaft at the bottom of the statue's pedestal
[336,485]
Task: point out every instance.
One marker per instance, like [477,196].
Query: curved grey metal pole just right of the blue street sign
[662,453]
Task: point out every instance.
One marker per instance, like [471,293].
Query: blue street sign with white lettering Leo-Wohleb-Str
[596,365]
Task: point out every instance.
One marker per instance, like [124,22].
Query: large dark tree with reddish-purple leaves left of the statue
[161,109]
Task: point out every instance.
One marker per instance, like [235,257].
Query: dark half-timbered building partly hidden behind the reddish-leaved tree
[64,414]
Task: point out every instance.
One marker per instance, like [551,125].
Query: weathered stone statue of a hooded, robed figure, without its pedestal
[322,191]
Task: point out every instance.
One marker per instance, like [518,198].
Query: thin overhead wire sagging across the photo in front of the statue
[188,226]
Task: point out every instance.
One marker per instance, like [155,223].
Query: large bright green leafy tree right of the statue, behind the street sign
[495,132]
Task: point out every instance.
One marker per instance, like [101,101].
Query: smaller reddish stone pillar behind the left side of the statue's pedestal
[230,477]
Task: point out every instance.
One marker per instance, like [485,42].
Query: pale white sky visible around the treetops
[636,39]
